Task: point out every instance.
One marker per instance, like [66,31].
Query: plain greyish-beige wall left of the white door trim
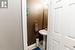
[10,26]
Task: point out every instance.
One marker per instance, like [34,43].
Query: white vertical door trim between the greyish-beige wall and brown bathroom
[24,20]
